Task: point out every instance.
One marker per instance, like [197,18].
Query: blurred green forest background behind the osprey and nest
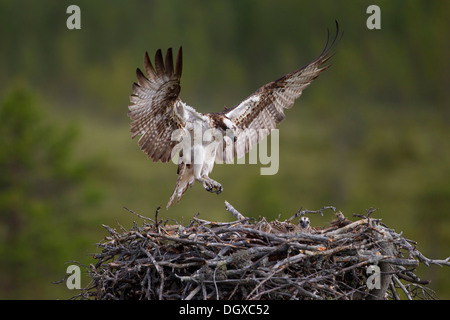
[372,131]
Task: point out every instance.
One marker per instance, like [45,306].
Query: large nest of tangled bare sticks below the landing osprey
[256,259]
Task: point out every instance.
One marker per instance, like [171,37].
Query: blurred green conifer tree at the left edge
[39,184]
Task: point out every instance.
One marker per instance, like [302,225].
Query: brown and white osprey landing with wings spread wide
[168,127]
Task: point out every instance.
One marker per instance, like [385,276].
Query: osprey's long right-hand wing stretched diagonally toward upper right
[257,115]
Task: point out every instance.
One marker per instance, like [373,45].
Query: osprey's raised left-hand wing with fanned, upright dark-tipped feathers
[154,105]
